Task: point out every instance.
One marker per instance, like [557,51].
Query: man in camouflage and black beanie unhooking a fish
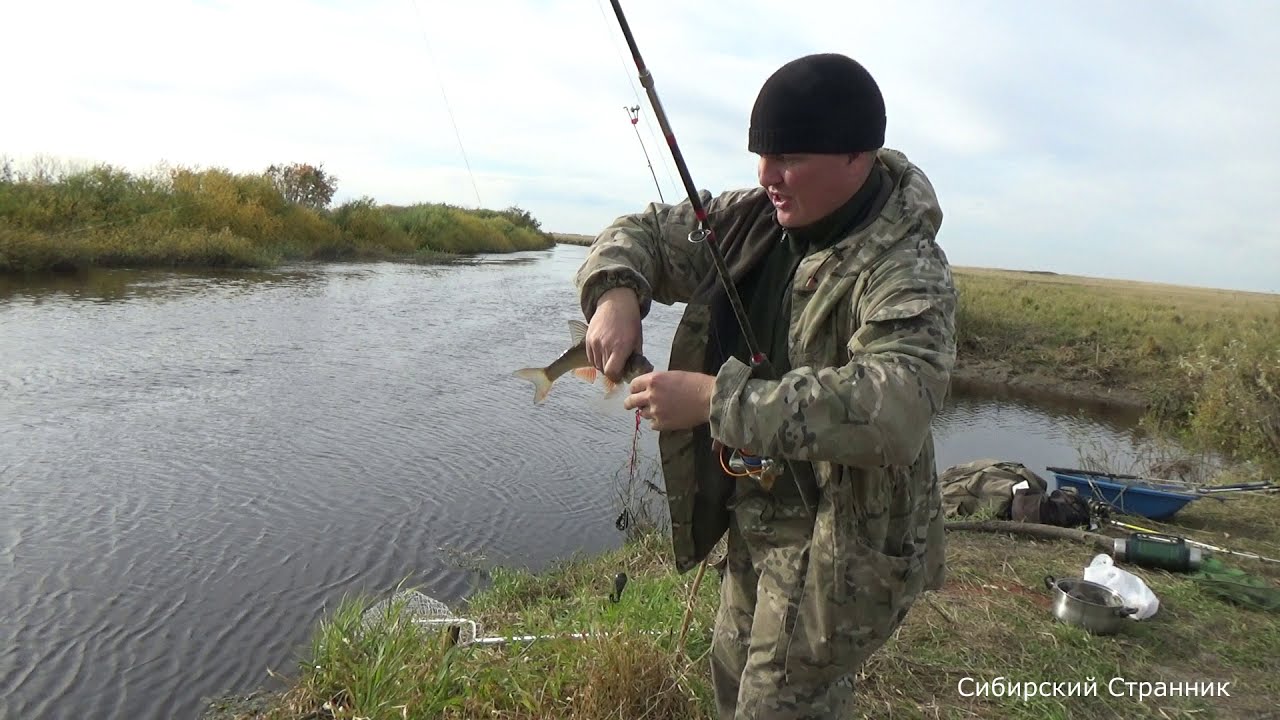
[854,306]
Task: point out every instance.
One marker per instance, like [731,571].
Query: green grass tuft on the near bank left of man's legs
[627,669]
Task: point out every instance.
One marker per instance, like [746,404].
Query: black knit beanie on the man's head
[824,103]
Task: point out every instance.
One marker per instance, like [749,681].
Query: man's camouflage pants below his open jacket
[803,605]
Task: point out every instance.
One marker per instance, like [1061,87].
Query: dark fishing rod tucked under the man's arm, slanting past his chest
[705,234]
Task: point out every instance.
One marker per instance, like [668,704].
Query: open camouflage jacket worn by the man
[872,347]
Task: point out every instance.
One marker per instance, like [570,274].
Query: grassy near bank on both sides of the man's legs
[993,619]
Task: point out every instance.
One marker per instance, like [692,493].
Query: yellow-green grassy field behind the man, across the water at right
[1205,364]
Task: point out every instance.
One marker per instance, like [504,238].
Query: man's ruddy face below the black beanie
[807,188]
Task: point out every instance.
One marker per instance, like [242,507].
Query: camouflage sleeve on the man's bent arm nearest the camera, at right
[876,409]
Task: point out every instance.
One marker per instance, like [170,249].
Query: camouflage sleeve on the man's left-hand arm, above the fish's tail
[650,253]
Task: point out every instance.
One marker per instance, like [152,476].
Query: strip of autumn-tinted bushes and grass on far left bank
[67,220]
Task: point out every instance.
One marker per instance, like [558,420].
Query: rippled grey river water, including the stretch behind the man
[195,467]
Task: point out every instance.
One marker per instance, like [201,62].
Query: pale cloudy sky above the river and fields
[1135,140]
